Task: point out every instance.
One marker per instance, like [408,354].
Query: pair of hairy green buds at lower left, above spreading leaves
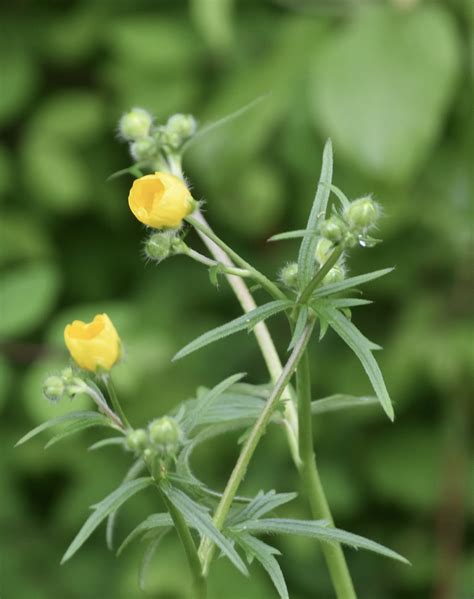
[161,439]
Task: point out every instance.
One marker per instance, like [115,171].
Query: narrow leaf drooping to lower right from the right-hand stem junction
[362,347]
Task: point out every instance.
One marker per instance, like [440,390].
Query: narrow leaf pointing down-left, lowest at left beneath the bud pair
[101,510]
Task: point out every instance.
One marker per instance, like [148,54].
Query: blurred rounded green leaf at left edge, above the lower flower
[28,295]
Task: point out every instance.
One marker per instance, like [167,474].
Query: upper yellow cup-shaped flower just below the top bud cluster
[160,200]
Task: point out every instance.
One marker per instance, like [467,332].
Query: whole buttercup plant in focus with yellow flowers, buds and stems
[312,289]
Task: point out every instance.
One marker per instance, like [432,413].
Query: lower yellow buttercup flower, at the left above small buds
[93,345]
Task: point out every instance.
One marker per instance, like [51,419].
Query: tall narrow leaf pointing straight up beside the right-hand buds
[306,261]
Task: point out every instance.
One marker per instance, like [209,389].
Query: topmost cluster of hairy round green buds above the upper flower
[148,139]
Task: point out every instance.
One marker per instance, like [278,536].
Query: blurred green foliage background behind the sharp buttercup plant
[388,83]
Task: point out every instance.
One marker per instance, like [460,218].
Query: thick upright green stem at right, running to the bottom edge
[334,556]
